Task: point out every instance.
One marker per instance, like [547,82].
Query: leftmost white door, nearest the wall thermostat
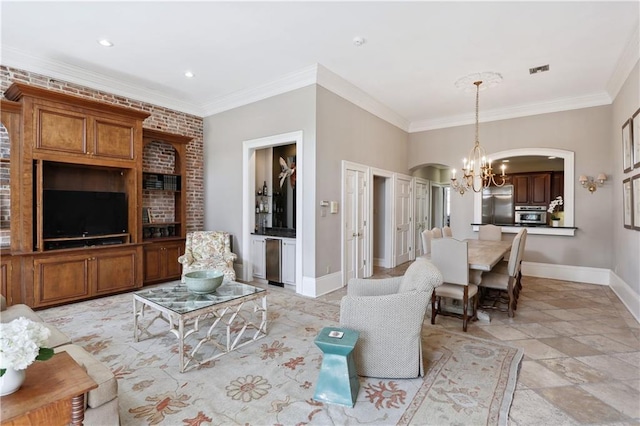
[355,225]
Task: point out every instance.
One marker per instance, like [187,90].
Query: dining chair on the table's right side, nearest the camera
[501,282]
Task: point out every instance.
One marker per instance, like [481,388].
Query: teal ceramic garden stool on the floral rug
[338,380]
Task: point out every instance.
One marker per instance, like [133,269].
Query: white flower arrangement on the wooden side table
[21,343]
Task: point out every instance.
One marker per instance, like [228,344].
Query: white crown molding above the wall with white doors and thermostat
[341,87]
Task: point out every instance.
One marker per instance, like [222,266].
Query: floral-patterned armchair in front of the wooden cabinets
[206,250]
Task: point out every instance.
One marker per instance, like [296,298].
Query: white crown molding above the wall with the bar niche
[289,82]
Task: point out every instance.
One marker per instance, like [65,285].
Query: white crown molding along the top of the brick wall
[19,59]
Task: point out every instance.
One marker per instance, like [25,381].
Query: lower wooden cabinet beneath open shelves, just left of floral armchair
[161,261]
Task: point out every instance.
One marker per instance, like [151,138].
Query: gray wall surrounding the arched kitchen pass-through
[586,131]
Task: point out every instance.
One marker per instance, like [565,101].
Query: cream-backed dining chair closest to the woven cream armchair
[450,256]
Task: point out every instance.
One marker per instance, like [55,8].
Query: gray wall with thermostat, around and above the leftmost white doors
[347,132]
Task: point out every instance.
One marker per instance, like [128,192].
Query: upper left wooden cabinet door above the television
[61,130]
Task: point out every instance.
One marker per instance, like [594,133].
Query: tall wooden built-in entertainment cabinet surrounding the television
[67,143]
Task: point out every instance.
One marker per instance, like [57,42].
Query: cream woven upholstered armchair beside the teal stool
[389,314]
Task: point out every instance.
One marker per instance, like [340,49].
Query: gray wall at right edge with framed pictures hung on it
[626,242]
